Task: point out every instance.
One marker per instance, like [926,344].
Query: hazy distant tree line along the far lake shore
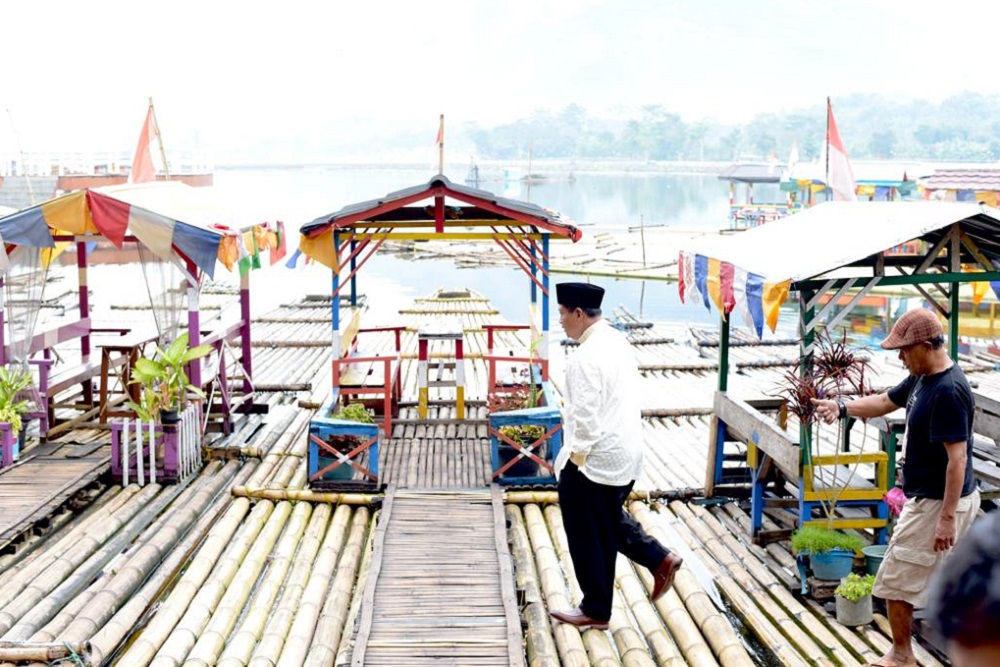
[964,127]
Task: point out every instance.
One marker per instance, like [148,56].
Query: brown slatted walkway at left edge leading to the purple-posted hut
[33,489]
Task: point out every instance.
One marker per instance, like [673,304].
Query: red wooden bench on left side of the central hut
[371,374]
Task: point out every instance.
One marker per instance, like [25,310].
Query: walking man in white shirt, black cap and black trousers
[601,459]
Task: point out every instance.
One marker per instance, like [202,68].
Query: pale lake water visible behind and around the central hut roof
[594,201]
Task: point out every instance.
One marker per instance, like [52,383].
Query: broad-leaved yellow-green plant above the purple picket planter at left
[164,383]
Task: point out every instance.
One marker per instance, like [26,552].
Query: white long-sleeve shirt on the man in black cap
[602,418]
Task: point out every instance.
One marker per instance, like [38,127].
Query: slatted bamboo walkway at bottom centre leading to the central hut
[441,588]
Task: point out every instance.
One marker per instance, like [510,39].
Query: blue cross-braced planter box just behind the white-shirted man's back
[526,470]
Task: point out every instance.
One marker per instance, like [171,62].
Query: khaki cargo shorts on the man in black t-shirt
[910,560]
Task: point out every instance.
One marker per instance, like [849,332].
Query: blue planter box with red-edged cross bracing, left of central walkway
[329,428]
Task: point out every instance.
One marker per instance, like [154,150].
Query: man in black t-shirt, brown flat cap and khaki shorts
[937,469]
